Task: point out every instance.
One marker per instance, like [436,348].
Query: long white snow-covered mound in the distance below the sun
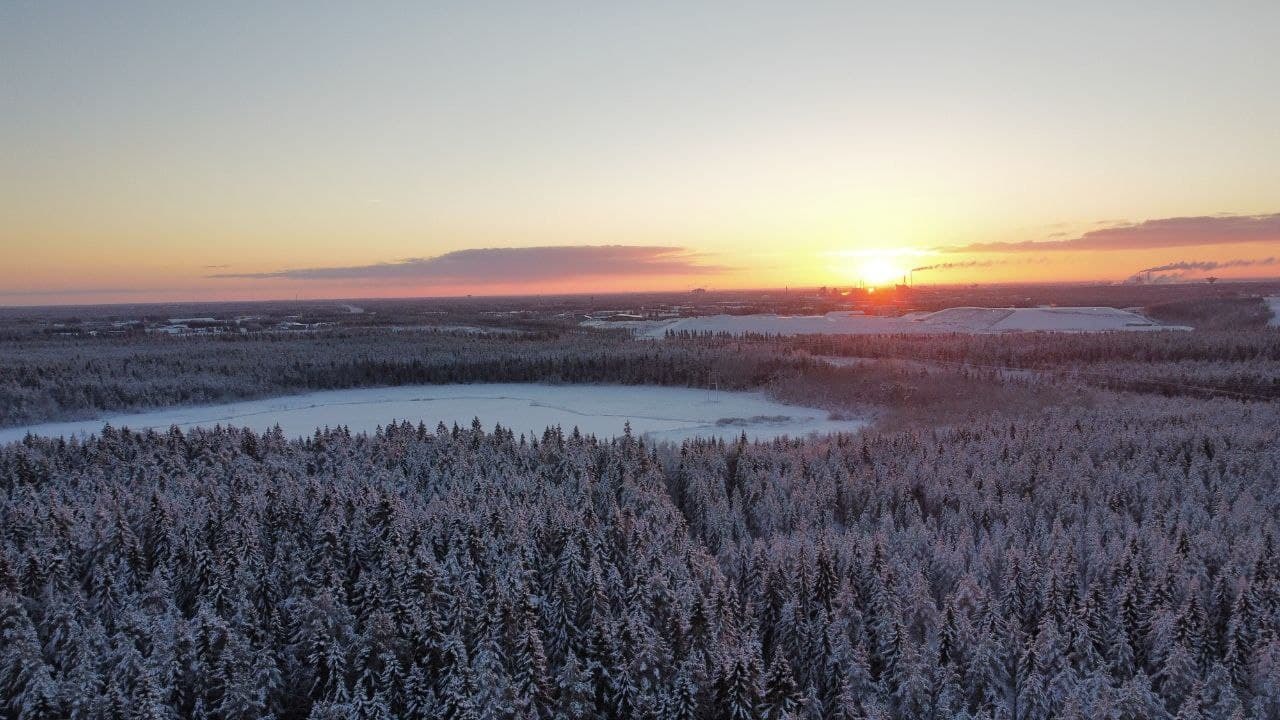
[950,321]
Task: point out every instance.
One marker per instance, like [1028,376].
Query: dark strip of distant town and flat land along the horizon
[525,315]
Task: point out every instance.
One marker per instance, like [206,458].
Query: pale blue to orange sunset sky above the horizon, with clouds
[154,152]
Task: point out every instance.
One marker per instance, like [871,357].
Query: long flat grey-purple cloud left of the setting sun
[515,265]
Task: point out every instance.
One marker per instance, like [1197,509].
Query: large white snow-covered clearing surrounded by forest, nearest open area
[656,413]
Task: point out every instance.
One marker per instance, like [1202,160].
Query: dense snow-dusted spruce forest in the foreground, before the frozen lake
[1114,562]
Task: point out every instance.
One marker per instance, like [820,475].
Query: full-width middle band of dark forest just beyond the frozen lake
[74,379]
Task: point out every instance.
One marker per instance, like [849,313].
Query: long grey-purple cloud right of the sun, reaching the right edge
[1167,233]
